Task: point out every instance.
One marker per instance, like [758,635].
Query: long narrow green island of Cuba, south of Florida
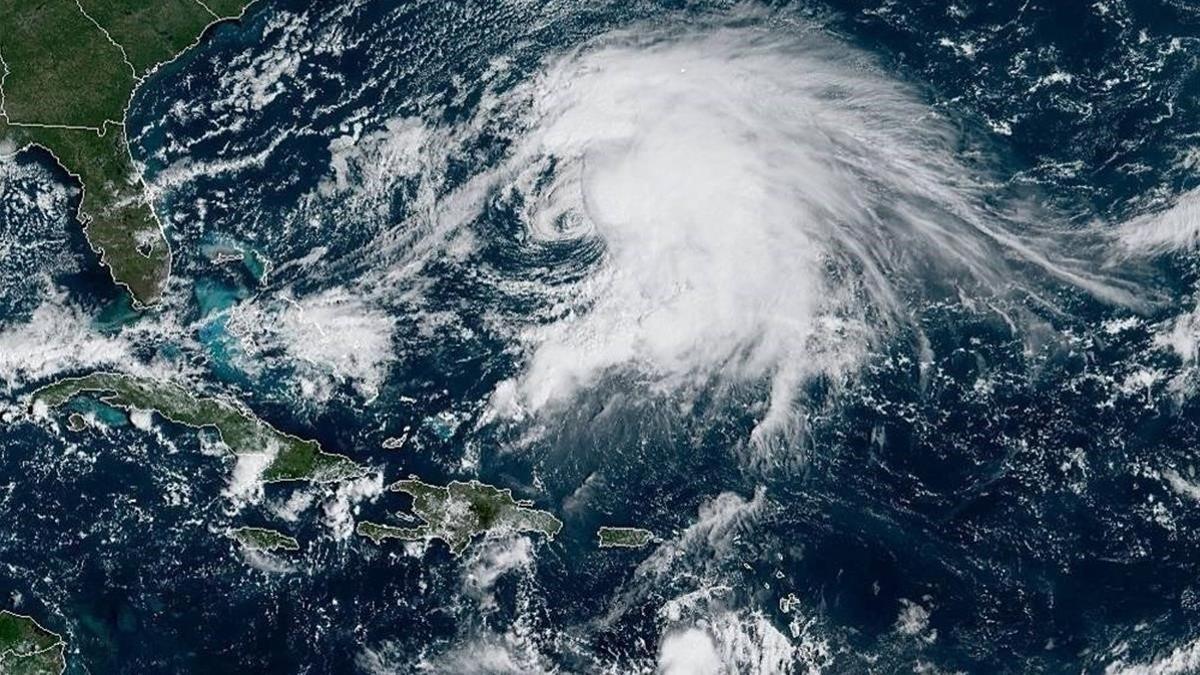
[295,459]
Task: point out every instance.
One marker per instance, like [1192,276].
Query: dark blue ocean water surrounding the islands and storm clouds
[1030,521]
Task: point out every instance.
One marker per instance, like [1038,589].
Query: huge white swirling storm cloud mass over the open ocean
[766,206]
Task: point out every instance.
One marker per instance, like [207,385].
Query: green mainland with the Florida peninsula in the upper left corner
[68,73]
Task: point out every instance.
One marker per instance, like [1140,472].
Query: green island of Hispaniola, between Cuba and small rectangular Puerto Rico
[460,512]
